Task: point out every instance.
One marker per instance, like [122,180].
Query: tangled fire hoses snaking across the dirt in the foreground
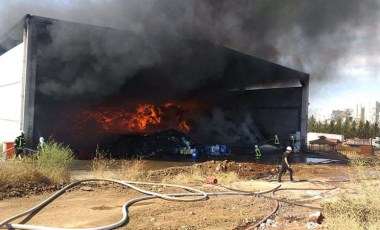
[197,195]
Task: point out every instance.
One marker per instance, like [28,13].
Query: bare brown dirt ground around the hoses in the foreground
[99,204]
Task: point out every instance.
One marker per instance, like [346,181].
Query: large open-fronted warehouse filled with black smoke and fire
[82,84]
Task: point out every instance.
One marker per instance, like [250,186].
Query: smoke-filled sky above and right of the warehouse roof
[337,42]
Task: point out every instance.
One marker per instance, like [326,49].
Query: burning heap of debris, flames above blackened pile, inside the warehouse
[146,129]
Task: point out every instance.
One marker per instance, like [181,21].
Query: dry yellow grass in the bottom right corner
[359,210]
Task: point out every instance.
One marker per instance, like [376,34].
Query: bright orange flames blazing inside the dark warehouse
[144,118]
